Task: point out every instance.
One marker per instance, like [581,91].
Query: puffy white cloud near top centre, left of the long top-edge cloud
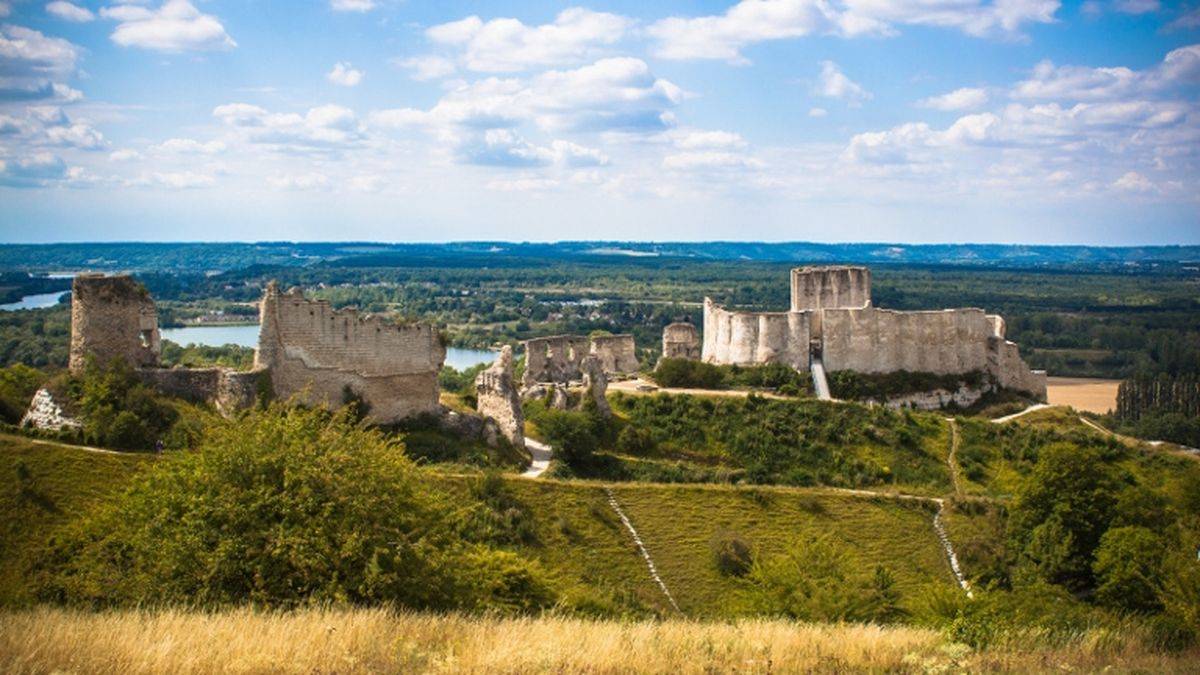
[507,45]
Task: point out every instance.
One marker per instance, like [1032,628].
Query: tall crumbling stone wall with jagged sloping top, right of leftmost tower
[320,354]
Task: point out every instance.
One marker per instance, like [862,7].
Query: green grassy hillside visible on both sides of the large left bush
[573,531]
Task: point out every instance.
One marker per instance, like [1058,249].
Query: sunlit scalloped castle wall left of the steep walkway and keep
[755,338]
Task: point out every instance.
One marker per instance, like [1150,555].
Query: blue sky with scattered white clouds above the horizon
[407,121]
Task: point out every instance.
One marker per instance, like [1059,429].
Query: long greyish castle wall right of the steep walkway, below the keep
[873,341]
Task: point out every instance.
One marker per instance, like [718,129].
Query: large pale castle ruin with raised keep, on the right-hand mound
[832,319]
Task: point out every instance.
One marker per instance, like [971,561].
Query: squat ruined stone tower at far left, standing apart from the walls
[112,318]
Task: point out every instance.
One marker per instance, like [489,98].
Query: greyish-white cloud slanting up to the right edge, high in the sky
[1082,83]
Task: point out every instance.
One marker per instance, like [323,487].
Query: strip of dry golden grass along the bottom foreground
[369,641]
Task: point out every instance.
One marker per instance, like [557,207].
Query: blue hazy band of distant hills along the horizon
[202,258]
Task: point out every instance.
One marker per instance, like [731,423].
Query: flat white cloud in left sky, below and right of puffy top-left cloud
[323,129]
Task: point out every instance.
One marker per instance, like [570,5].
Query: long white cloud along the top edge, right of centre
[749,22]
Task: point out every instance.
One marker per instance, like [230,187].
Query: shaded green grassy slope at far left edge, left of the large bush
[63,482]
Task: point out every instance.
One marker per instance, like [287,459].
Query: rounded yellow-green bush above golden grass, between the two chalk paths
[819,580]
